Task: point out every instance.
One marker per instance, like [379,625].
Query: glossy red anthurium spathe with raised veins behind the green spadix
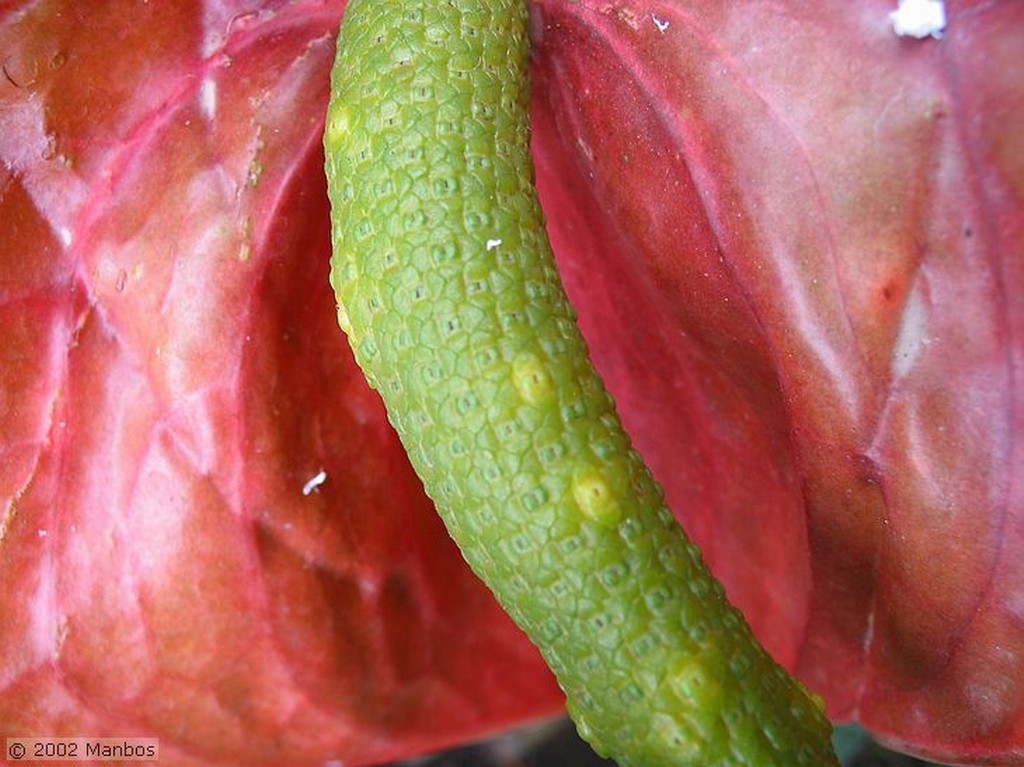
[794,240]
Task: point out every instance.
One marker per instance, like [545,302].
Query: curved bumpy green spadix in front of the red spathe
[449,293]
